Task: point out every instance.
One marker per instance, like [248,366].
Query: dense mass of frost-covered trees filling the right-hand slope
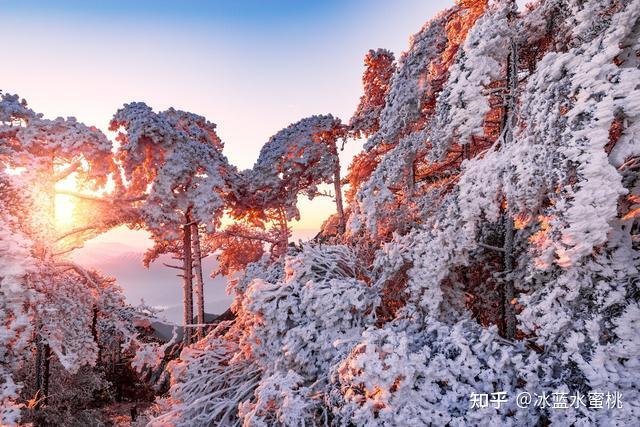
[546,101]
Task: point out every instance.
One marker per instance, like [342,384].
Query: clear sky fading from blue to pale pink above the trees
[251,67]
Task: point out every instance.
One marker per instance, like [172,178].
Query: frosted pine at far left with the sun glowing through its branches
[48,301]
